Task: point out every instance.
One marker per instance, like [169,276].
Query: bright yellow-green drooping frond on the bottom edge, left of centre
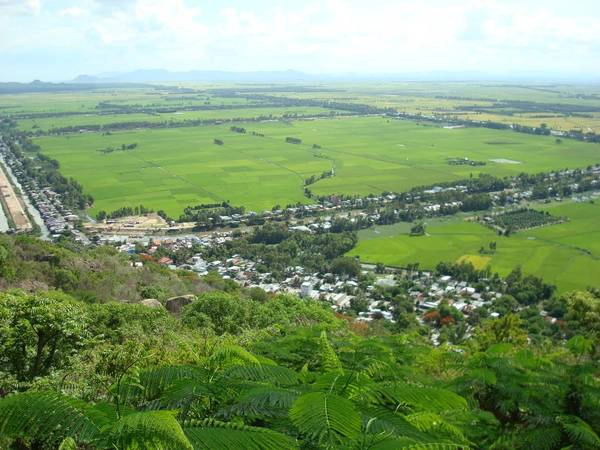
[151,430]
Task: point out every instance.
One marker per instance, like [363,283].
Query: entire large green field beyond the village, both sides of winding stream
[173,168]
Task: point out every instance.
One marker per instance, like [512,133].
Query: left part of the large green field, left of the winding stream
[174,168]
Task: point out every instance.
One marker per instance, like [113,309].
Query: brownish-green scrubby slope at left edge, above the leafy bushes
[91,274]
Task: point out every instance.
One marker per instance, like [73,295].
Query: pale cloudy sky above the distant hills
[55,40]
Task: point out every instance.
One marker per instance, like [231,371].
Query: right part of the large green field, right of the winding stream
[373,154]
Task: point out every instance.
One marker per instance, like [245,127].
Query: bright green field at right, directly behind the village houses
[566,254]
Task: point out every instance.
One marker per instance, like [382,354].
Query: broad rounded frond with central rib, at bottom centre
[325,417]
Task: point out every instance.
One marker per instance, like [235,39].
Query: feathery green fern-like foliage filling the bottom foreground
[376,393]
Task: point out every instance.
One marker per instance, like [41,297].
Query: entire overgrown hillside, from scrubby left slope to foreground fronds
[239,370]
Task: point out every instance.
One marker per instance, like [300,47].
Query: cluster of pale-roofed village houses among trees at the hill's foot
[427,290]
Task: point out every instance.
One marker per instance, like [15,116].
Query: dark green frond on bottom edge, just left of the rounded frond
[214,435]
